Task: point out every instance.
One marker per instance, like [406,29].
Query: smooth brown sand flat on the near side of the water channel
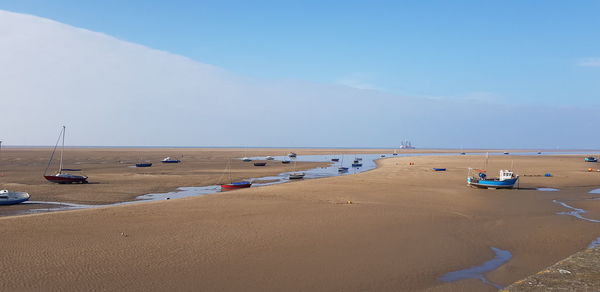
[396,228]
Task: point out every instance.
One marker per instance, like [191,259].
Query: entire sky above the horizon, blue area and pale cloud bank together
[302,73]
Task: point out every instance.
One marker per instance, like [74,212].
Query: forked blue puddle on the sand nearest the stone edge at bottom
[502,256]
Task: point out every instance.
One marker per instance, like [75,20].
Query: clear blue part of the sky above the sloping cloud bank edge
[519,52]
